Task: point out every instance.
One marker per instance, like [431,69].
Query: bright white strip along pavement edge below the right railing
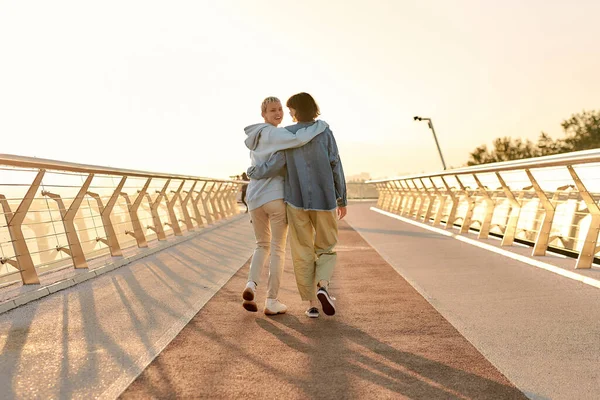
[535,263]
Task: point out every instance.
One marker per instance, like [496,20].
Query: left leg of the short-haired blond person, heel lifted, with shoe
[262,234]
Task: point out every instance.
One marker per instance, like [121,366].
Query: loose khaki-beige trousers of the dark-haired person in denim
[313,236]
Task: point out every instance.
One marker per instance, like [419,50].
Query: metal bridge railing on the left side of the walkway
[61,215]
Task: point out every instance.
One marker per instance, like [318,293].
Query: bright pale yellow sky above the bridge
[169,86]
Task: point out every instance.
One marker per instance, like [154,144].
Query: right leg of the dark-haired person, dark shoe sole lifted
[326,237]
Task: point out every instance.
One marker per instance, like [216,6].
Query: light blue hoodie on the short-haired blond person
[265,139]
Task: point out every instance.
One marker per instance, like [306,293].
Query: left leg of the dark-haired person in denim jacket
[303,253]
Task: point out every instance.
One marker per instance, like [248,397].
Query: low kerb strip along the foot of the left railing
[54,287]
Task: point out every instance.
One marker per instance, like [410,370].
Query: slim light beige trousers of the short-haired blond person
[270,230]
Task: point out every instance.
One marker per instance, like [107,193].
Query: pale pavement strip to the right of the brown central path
[540,329]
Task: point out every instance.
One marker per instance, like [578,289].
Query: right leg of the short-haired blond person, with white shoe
[276,210]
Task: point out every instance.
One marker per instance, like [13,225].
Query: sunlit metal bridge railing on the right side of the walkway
[548,202]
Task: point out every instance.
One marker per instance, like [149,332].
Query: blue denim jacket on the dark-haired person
[314,177]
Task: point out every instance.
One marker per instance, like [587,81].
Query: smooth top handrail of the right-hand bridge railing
[556,160]
